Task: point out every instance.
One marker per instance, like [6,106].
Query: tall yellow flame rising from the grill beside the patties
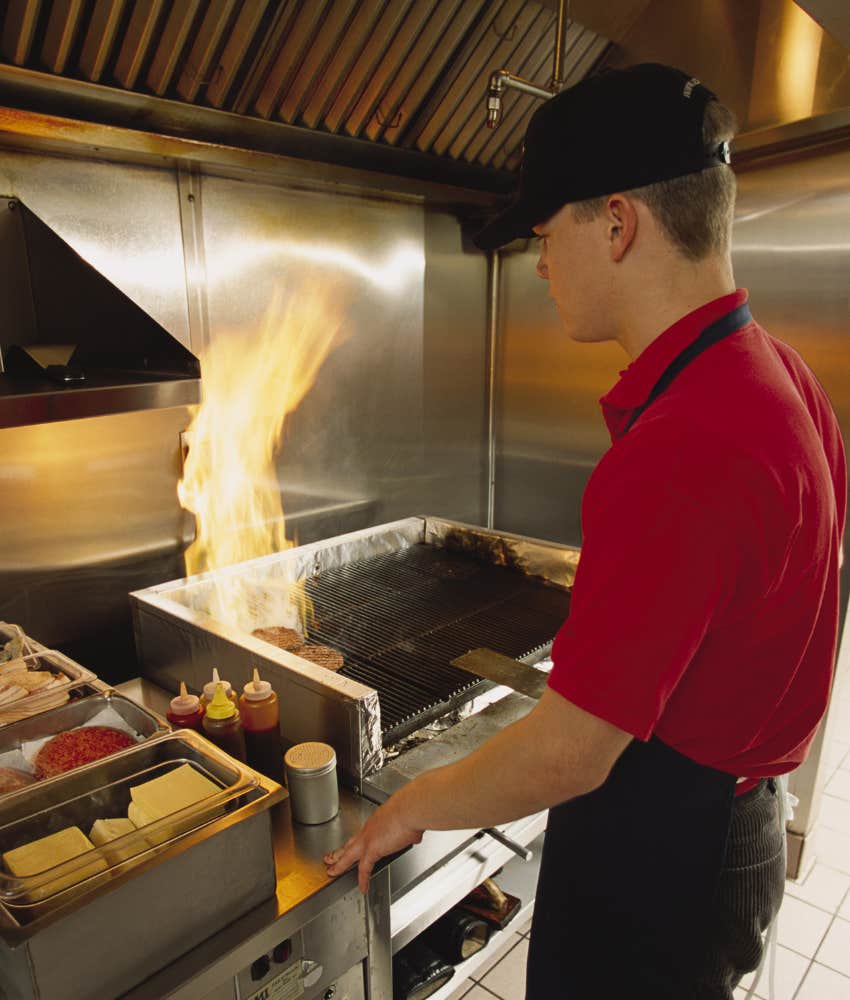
[252,380]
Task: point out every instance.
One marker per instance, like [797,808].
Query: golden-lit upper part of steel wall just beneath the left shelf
[62,520]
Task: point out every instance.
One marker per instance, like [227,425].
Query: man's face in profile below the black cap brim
[573,261]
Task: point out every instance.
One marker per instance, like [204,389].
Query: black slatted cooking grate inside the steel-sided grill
[400,618]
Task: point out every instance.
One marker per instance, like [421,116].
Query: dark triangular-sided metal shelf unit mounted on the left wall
[71,343]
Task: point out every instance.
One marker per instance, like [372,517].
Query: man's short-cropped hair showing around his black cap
[696,210]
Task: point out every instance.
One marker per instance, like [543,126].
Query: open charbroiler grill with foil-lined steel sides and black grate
[400,601]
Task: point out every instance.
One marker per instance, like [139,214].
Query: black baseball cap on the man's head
[613,132]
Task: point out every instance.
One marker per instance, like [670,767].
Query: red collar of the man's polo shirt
[637,381]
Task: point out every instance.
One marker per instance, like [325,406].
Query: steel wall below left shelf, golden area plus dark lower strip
[90,512]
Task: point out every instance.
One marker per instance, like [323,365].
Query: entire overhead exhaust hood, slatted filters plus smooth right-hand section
[396,88]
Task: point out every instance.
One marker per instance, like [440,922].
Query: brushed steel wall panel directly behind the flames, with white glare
[358,434]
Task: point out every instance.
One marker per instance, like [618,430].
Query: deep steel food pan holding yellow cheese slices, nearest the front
[151,911]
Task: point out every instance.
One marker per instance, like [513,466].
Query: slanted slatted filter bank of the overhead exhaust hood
[391,86]
